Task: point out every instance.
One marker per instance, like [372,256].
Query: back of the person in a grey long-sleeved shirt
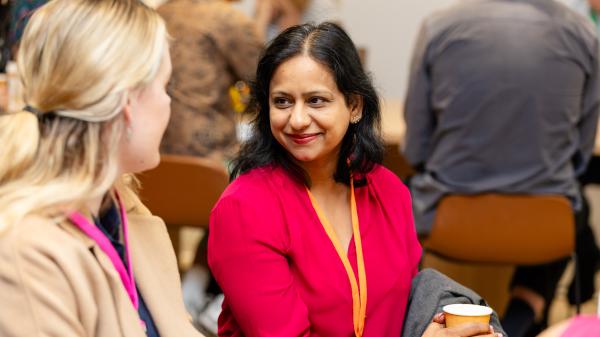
[503,98]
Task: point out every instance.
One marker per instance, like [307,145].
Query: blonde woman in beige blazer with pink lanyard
[80,255]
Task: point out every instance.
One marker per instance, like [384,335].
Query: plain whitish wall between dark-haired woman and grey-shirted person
[387,28]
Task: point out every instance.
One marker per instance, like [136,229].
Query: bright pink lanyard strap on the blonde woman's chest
[94,233]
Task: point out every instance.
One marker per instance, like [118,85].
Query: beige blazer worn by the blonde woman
[55,281]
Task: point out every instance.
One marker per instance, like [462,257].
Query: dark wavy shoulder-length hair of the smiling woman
[329,45]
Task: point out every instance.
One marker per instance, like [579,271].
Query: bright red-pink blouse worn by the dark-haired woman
[280,272]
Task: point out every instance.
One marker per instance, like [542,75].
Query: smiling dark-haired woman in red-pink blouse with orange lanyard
[313,237]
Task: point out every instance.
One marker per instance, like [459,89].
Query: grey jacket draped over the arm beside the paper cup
[430,291]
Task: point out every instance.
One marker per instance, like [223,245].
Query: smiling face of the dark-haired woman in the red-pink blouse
[308,114]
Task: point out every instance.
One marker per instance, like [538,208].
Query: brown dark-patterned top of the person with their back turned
[214,46]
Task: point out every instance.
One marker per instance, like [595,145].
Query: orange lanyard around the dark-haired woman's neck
[359,298]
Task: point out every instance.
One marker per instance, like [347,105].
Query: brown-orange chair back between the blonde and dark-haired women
[182,191]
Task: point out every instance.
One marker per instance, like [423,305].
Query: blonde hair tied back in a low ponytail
[78,60]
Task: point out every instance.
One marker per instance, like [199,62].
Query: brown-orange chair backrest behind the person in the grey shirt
[500,228]
